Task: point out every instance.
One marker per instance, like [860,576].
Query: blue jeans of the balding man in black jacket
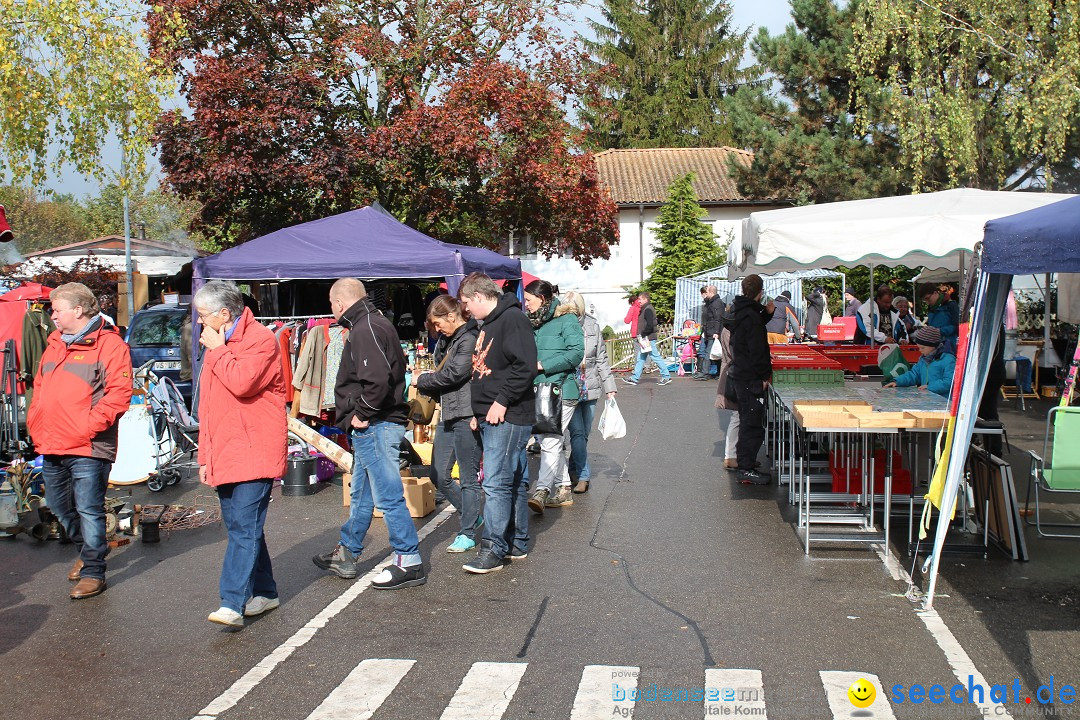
[377,482]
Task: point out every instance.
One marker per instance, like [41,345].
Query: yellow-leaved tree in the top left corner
[75,75]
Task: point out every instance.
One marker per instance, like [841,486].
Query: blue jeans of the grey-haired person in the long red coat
[247,572]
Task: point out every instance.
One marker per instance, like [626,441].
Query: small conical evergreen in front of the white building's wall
[685,241]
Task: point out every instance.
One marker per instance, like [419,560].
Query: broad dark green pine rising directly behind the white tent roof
[802,128]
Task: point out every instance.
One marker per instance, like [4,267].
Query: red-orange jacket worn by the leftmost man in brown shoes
[80,392]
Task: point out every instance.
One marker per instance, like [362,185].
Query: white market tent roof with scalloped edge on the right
[926,230]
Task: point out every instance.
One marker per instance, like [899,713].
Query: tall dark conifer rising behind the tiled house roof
[665,67]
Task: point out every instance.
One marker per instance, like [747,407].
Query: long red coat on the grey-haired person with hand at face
[242,424]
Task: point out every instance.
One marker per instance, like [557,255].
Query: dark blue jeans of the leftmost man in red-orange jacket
[75,493]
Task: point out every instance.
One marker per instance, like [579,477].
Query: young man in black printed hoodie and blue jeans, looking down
[505,365]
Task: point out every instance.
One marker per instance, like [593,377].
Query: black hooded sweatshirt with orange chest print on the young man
[505,363]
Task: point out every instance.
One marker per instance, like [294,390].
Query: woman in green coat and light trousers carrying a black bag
[561,347]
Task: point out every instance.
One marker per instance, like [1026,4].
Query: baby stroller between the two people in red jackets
[174,428]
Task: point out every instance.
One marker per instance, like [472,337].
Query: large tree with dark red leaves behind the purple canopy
[449,113]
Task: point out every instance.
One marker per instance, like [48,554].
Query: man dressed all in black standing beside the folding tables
[751,370]
